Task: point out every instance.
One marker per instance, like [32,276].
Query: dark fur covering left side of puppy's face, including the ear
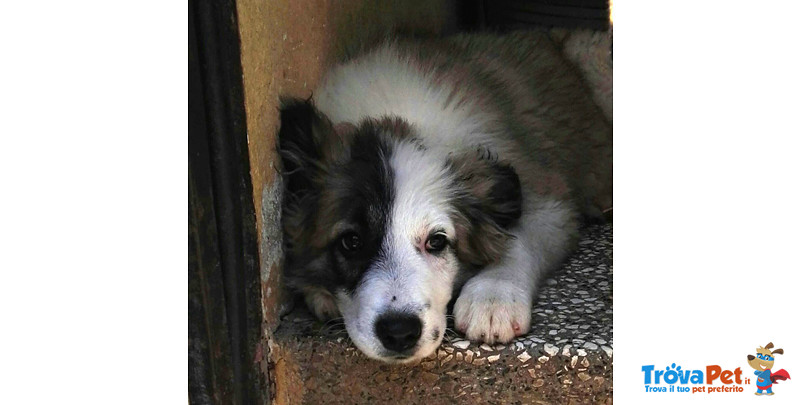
[332,178]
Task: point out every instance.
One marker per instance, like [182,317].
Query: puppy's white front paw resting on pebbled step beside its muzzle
[493,311]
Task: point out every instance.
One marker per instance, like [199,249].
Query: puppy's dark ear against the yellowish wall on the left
[307,143]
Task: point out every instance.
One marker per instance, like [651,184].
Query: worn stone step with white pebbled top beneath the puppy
[566,358]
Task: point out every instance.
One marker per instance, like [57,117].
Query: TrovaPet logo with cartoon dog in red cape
[715,378]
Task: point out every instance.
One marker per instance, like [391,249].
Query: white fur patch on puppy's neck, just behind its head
[385,82]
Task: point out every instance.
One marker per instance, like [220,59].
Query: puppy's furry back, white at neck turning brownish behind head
[515,94]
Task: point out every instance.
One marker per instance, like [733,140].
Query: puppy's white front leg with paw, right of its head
[495,305]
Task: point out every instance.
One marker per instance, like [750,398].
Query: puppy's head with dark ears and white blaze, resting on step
[385,225]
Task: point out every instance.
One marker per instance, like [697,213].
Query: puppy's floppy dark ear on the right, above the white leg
[488,202]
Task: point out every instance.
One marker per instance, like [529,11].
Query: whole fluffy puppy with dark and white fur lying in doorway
[421,169]
